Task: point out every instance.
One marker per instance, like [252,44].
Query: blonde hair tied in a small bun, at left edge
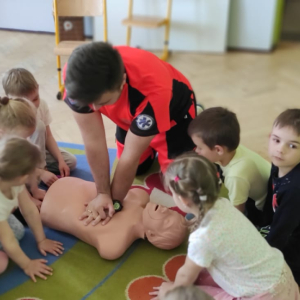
[16,113]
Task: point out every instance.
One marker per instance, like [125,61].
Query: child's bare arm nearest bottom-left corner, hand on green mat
[11,246]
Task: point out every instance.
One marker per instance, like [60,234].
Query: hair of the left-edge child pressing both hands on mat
[18,157]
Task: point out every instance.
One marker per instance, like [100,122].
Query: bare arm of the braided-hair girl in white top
[185,276]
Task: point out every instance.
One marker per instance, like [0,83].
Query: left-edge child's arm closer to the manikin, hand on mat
[32,217]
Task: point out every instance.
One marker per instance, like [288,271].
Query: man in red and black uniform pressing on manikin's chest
[151,103]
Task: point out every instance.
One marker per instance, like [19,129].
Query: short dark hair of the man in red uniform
[93,69]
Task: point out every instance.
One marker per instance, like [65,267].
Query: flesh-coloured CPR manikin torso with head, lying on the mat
[65,202]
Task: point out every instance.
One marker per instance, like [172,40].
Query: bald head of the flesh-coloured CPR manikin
[164,228]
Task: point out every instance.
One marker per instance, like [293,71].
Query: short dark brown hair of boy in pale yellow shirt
[217,126]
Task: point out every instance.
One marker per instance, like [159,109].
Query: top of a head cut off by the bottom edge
[187,293]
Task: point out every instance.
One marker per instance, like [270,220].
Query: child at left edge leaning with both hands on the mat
[18,159]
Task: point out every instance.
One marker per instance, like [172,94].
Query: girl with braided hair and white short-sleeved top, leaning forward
[240,262]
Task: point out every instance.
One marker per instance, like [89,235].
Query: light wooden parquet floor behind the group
[257,86]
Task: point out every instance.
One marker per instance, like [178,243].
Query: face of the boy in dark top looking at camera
[284,147]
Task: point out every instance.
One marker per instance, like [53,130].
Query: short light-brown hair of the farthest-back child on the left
[19,82]
